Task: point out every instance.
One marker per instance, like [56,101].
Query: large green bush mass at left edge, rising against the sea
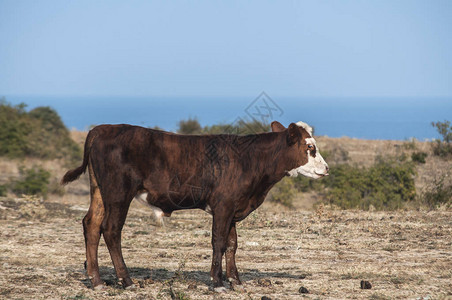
[39,133]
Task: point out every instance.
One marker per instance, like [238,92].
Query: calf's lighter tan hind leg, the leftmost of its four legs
[91,230]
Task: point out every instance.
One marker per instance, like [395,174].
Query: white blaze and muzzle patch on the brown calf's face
[316,167]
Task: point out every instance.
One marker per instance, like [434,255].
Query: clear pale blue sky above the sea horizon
[226,48]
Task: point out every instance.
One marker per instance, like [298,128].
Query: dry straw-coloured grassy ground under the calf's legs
[404,255]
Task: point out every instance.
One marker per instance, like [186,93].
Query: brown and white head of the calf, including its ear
[303,155]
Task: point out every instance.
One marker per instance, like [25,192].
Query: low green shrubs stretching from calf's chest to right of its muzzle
[387,185]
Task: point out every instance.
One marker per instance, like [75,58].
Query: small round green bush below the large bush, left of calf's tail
[32,181]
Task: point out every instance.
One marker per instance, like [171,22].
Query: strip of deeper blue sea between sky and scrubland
[363,118]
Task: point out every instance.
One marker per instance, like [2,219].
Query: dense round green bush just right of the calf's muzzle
[387,185]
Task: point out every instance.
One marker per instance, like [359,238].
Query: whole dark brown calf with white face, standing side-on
[226,175]
